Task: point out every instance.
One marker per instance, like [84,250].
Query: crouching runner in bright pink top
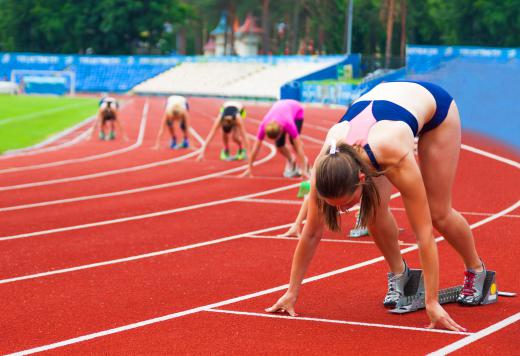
[284,117]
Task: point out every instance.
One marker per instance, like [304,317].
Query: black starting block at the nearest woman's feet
[413,298]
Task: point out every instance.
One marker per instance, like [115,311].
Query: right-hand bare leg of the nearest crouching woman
[438,156]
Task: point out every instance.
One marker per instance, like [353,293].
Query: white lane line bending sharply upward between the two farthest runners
[138,143]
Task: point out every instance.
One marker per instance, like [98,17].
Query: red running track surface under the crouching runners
[98,270]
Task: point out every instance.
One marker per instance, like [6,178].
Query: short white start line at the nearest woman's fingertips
[333,321]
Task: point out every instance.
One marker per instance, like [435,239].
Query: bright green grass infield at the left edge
[27,120]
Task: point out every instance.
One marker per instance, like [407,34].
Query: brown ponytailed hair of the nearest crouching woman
[338,175]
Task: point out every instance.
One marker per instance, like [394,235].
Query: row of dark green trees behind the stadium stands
[379,27]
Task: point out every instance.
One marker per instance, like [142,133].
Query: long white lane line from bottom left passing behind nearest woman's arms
[232,300]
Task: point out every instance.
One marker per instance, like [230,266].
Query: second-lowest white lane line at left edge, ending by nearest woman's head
[148,215]
